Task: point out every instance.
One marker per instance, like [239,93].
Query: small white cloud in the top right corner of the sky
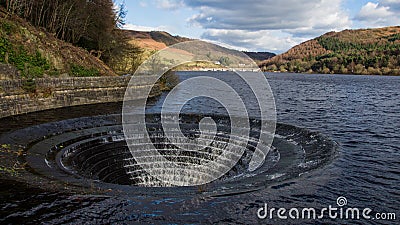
[384,13]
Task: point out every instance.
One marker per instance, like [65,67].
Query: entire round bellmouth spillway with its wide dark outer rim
[93,151]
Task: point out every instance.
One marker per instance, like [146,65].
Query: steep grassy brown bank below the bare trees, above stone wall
[26,51]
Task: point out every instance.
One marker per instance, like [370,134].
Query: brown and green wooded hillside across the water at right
[363,51]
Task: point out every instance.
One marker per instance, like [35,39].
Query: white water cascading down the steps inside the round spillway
[196,152]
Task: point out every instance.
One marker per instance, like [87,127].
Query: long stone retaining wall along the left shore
[24,96]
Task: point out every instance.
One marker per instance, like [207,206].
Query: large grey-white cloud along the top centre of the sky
[305,16]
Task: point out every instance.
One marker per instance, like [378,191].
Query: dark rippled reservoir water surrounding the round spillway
[361,113]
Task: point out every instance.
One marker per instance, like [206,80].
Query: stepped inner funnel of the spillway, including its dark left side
[108,158]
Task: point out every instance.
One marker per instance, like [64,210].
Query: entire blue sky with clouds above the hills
[259,25]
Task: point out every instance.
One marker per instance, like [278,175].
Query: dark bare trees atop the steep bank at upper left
[90,24]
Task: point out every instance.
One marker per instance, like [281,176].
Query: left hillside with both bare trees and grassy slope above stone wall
[54,37]
